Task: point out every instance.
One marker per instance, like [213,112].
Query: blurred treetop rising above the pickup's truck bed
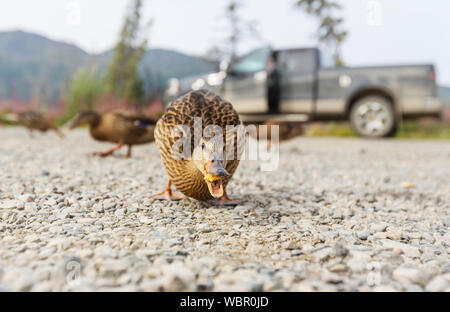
[329,30]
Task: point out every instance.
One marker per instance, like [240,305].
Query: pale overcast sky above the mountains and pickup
[380,31]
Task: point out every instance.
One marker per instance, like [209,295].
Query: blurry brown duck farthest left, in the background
[32,121]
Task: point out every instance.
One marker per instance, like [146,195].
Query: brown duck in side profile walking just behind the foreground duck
[117,127]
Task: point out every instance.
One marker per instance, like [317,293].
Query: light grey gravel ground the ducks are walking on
[338,215]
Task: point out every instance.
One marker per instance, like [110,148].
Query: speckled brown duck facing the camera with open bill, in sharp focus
[204,173]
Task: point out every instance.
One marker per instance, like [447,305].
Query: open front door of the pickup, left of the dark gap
[245,85]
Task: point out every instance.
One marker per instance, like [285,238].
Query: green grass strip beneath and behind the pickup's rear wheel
[410,129]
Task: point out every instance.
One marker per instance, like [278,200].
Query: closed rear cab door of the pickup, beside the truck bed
[298,69]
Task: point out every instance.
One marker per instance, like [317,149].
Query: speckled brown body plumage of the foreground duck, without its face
[214,111]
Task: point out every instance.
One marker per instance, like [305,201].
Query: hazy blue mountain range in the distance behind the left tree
[33,66]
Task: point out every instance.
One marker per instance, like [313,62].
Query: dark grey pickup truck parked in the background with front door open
[373,98]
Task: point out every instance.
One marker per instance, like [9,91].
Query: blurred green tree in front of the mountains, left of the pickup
[122,76]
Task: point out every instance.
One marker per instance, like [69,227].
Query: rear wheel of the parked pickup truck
[373,116]
